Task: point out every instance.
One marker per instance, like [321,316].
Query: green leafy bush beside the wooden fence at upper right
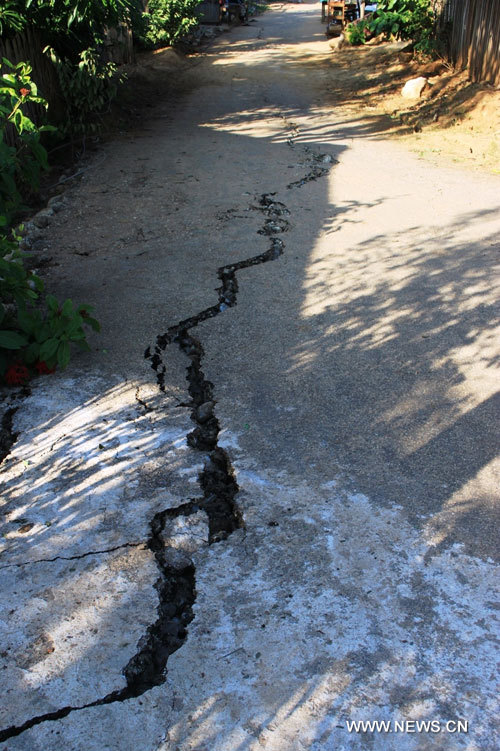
[406,19]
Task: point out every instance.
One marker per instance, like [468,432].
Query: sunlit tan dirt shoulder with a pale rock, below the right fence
[454,120]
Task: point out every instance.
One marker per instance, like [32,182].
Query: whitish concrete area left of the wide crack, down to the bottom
[79,492]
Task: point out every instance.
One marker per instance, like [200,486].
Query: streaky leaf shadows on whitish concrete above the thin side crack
[64,465]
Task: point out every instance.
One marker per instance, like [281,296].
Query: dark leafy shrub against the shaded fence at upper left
[88,89]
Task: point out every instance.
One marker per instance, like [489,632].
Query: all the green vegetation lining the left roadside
[36,331]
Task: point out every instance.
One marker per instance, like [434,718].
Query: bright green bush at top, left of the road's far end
[168,21]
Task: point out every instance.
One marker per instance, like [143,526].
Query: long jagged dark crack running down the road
[176,584]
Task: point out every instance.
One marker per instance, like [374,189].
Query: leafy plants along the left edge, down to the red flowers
[31,339]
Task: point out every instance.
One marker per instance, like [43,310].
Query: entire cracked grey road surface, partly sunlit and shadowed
[297,530]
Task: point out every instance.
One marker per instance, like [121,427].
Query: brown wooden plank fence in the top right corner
[474,36]
